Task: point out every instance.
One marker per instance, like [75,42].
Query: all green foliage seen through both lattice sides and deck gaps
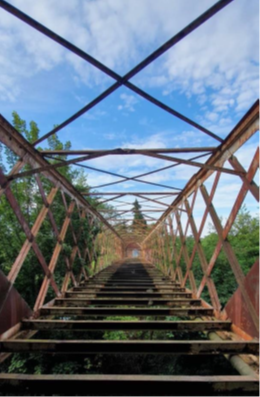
[244,238]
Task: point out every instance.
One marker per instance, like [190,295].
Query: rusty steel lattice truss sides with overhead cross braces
[164,244]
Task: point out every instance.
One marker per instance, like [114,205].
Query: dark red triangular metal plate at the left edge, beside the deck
[12,306]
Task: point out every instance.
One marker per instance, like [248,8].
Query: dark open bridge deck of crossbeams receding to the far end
[138,290]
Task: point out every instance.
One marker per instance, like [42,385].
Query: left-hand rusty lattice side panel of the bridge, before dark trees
[54,236]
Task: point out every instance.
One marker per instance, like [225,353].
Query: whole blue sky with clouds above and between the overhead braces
[212,76]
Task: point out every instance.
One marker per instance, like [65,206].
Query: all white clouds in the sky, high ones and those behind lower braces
[218,65]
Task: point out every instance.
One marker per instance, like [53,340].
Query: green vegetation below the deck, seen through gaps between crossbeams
[137,364]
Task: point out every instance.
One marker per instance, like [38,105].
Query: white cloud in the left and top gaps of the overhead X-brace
[114,31]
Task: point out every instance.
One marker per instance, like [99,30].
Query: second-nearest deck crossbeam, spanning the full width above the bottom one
[194,347]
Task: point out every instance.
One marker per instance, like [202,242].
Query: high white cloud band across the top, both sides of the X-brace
[218,63]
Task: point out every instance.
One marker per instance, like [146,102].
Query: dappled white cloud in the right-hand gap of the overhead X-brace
[218,63]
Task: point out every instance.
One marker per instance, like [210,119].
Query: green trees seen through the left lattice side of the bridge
[26,192]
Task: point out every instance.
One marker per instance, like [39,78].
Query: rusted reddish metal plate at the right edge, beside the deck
[237,309]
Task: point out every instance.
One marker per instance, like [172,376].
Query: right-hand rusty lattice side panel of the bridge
[215,267]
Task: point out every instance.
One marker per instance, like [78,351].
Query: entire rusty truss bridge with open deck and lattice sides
[146,292]
